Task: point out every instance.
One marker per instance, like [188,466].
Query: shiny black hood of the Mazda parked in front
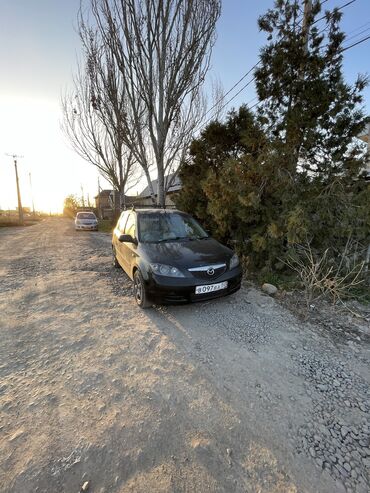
[187,253]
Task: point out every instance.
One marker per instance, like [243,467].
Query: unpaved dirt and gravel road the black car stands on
[233,395]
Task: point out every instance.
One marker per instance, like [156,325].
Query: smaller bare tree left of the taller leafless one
[93,114]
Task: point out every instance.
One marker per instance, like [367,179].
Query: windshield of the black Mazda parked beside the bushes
[158,227]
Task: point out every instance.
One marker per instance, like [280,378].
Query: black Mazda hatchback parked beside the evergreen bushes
[171,259]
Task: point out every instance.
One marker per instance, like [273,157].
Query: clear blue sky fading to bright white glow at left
[39,47]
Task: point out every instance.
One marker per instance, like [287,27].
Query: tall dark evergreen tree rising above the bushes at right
[309,112]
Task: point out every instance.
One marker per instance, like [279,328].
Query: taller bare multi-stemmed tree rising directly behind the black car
[162,50]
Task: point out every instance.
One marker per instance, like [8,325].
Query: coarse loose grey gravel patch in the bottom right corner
[337,440]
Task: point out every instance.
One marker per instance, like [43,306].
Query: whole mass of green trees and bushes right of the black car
[285,183]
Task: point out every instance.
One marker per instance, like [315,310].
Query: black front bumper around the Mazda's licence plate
[165,290]
